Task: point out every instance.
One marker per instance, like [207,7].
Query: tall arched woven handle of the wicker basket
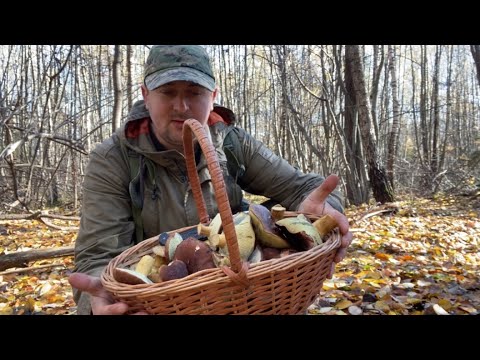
[190,127]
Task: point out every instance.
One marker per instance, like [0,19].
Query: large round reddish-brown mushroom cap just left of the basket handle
[195,254]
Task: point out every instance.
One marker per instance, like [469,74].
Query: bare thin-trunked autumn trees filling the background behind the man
[387,119]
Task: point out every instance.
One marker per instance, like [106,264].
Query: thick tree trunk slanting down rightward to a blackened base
[382,191]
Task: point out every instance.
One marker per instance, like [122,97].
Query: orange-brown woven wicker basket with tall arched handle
[286,285]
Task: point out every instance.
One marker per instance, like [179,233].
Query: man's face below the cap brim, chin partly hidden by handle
[173,103]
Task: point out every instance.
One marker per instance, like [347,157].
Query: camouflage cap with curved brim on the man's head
[167,63]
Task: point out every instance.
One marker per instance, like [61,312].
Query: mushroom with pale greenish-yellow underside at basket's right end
[300,232]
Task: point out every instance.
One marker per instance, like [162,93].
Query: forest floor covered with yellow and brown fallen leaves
[421,257]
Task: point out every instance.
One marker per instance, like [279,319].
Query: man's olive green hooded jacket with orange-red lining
[107,226]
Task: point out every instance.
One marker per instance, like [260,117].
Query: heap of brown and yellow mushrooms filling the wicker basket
[262,234]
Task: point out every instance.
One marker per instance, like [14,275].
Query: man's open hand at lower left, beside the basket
[100,299]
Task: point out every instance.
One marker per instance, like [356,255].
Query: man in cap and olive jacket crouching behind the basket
[178,85]
